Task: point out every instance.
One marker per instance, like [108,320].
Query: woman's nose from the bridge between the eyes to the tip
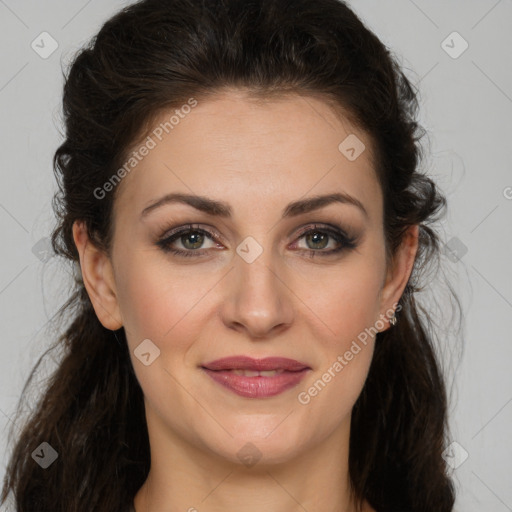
[259,300]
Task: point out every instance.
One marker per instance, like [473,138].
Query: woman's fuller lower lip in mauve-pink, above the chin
[257,387]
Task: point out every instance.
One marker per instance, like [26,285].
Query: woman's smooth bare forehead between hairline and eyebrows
[252,153]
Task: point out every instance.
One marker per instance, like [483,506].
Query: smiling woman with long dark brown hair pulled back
[240,196]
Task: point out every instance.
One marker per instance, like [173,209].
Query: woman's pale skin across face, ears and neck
[257,158]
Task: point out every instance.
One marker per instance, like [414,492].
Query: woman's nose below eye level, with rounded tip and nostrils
[258,302]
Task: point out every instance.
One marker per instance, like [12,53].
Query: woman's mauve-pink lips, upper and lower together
[291,372]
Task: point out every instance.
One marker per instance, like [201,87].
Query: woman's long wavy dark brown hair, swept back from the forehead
[155,55]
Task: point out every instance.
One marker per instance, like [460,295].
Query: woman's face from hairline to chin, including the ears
[264,272]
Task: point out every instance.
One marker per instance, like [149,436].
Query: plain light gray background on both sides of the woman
[466,107]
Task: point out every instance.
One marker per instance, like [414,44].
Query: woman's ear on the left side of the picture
[98,278]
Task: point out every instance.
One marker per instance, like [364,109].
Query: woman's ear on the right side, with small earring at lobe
[398,272]
